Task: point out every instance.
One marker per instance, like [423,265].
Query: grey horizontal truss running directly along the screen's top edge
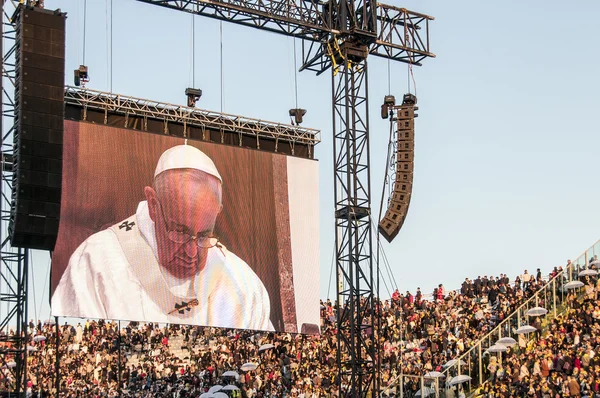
[169,113]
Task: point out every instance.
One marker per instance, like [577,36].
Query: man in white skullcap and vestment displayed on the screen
[163,264]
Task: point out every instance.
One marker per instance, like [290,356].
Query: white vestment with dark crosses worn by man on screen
[114,274]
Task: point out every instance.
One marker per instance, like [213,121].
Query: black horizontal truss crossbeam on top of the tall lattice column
[395,33]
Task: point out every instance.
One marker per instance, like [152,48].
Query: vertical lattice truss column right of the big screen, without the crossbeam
[356,354]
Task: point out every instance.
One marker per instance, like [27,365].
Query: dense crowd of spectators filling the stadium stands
[417,335]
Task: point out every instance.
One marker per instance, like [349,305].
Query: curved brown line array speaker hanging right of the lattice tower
[399,201]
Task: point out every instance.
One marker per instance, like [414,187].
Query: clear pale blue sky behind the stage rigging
[507,140]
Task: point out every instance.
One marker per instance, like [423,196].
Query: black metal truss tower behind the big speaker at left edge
[13,261]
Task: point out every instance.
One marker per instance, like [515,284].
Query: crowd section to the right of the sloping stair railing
[563,361]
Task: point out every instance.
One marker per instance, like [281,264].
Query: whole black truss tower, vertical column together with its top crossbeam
[338,35]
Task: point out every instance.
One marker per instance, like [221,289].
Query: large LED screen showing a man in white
[154,228]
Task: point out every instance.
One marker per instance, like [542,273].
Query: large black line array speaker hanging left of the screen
[38,129]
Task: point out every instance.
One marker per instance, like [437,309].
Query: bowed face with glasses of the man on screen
[188,206]
